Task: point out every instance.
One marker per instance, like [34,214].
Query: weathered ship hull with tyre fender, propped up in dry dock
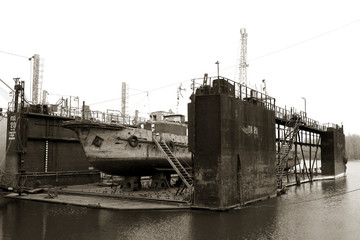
[130,150]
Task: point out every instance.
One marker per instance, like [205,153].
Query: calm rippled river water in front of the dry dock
[328,209]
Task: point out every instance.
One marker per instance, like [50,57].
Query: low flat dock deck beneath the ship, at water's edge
[109,197]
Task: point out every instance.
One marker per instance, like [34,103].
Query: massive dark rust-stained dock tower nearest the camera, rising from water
[233,142]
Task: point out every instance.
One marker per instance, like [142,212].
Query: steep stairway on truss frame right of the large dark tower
[290,136]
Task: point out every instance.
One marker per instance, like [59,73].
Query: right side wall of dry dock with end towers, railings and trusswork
[233,134]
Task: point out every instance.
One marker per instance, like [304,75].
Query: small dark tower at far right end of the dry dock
[333,157]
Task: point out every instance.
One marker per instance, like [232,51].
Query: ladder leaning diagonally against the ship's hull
[174,162]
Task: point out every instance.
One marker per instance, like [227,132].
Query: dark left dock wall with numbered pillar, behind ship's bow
[42,152]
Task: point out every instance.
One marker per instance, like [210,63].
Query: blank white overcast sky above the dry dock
[304,49]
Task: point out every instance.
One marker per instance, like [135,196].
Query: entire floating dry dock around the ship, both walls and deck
[244,148]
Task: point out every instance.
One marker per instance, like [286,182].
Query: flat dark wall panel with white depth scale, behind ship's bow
[51,147]
